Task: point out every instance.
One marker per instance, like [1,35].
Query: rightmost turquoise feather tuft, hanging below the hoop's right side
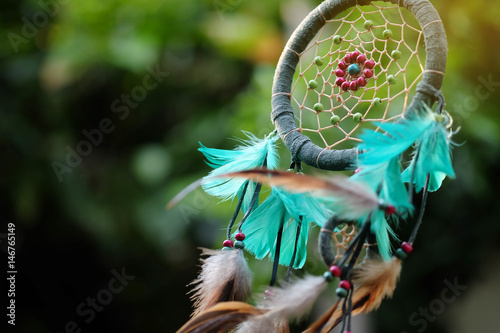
[432,157]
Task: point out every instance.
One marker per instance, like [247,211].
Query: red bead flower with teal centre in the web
[353,71]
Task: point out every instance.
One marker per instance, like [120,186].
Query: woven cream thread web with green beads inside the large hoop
[383,98]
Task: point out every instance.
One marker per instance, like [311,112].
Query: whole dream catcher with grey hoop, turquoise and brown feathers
[357,88]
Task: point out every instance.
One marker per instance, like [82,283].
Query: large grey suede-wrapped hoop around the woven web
[282,115]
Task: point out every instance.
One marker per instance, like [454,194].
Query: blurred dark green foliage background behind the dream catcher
[200,71]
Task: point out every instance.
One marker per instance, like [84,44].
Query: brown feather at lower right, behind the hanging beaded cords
[373,281]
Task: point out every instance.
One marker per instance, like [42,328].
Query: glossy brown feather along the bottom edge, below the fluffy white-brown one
[220,318]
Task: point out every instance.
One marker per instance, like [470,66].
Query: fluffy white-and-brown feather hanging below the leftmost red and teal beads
[225,276]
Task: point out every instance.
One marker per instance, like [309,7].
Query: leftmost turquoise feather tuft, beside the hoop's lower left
[249,155]
